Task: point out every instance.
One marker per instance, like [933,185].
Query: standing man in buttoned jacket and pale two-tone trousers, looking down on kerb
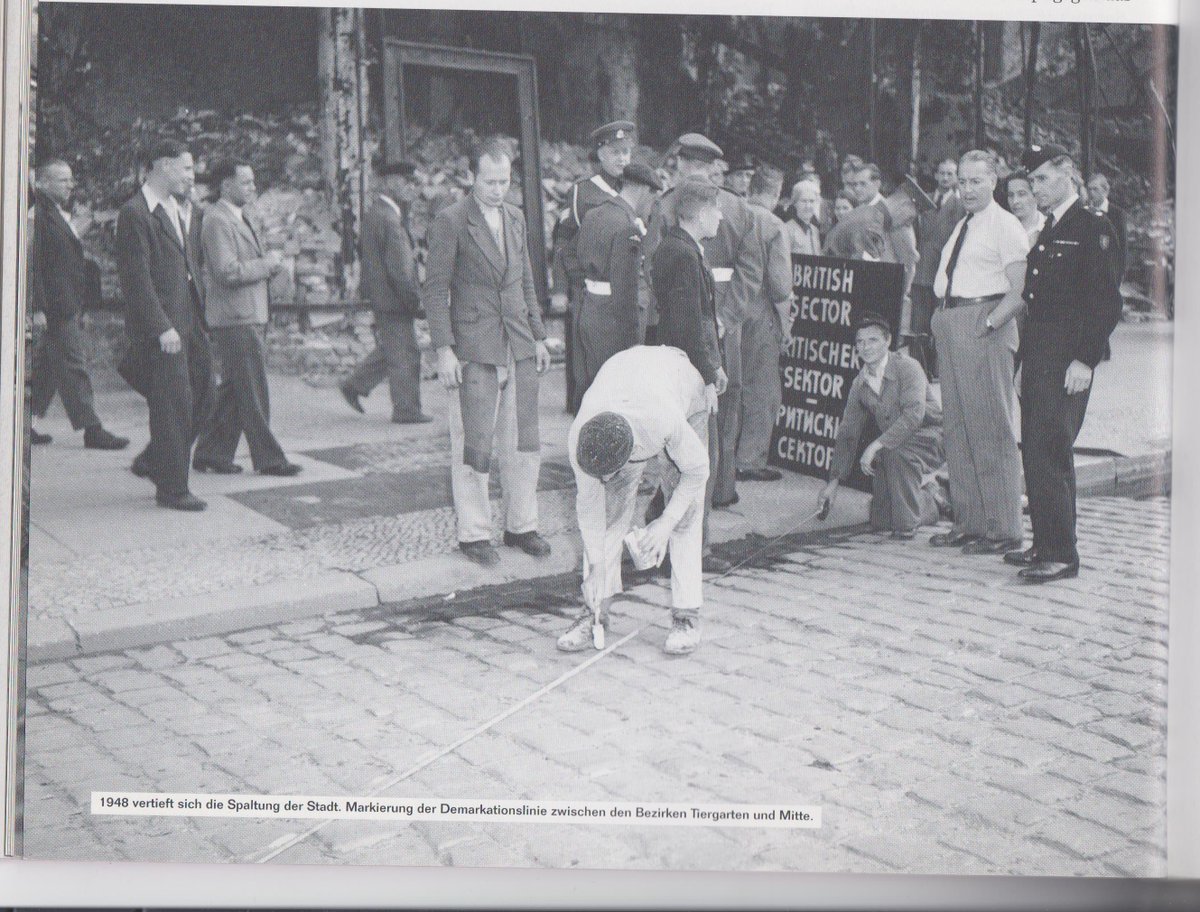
[485,325]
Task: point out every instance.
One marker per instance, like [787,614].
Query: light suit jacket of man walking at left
[237,275]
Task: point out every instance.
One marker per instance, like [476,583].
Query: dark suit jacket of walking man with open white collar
[154,267]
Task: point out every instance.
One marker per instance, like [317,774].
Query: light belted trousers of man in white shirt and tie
[980,422]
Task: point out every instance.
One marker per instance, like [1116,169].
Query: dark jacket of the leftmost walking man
[63,281]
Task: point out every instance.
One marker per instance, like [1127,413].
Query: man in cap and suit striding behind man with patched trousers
[389,284]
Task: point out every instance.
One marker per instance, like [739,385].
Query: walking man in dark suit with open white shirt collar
[158,261]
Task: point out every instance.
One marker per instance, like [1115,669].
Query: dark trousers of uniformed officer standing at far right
[1051,423]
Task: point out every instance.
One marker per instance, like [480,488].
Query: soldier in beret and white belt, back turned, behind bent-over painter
[610,254]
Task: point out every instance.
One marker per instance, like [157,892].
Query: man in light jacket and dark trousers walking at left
[237,275]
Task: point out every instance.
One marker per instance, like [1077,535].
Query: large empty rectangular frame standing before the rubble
[398,55]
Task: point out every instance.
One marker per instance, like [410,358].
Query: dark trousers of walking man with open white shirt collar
[181,400]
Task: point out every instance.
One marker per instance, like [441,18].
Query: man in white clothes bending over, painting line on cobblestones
[645,403]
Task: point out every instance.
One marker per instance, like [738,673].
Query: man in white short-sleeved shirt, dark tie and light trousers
[980,280]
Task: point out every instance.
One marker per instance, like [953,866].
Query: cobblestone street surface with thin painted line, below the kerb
[945,717]
